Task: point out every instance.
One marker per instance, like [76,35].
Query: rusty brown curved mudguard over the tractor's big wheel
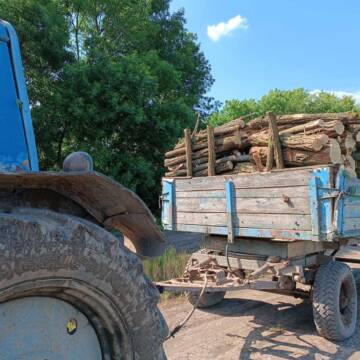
[109,203]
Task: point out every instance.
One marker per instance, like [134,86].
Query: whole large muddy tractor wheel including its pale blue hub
[69,290]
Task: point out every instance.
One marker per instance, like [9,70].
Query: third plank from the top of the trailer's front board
[245,205]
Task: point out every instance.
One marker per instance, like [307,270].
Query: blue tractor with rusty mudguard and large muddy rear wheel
[69,289]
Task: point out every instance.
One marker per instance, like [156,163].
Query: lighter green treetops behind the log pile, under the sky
[283,102]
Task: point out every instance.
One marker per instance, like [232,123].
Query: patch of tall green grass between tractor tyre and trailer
[170,265]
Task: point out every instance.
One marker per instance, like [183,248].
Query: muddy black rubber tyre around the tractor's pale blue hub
[48,255]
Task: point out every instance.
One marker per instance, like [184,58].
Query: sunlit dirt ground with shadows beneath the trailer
[253,325]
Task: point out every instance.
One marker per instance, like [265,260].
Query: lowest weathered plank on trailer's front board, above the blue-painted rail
[256,221]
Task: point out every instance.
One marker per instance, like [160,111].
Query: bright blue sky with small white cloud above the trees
[277,44]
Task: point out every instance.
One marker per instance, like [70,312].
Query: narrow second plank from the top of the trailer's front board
[292,192]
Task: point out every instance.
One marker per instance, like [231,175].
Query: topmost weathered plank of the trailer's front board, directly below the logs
[243,181]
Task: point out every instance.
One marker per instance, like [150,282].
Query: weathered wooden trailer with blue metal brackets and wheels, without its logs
[276,231]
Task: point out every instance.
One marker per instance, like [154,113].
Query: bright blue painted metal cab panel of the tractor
[17,141]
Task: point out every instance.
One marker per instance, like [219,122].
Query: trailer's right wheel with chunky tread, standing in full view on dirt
[335,301]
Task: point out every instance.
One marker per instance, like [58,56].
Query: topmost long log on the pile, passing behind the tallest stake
[294,119]
